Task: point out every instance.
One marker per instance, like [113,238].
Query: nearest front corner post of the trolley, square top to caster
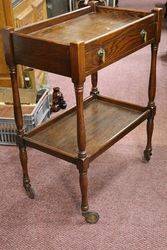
[77,59]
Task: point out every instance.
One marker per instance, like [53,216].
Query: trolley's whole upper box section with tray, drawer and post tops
[58,44]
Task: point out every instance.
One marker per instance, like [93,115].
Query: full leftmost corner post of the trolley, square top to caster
[9,56]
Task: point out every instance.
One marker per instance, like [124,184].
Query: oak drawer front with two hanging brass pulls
[101,54]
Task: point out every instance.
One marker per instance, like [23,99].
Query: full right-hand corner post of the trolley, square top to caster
[152,85]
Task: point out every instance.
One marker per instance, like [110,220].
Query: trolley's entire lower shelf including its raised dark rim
[106,121]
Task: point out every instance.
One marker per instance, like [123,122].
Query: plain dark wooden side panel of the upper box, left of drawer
[34,52]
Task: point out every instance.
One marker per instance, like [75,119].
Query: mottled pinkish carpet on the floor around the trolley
[130,196]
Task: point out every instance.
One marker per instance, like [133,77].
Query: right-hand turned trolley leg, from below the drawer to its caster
[151,103]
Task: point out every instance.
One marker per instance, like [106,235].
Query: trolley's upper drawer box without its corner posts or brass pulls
[62,34]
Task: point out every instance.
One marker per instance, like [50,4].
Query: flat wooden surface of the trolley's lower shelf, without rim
[103,121]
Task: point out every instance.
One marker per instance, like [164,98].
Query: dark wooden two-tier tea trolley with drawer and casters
[77,45]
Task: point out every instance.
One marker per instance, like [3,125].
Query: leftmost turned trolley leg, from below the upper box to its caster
[20,132]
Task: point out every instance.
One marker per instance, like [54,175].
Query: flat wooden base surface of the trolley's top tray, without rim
[84,28]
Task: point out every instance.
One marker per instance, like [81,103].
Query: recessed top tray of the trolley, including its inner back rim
[83,25]
